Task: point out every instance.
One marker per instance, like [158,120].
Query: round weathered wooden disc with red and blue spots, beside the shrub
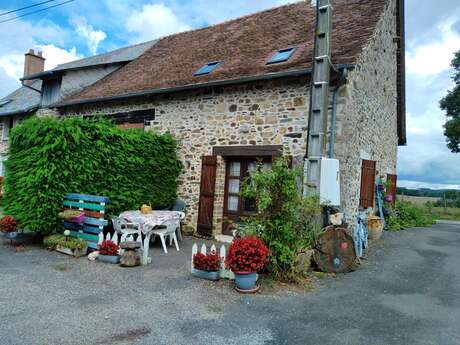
[334,250]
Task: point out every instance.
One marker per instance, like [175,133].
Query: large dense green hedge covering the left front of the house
[50,157]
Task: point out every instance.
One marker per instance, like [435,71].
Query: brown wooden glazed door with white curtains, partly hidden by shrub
[235,206]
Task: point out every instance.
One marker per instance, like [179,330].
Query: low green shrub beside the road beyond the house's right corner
[407,215]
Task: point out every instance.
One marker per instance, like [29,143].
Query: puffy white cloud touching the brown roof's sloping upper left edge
[154,21]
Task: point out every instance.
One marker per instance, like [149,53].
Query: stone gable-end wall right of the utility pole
[366,112]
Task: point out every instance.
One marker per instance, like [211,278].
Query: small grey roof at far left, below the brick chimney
[21,100]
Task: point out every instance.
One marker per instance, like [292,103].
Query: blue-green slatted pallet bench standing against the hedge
[94,208]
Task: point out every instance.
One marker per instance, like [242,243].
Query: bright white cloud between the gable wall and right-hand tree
[434,57]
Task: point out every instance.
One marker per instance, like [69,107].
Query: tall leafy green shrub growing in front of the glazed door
[285,220]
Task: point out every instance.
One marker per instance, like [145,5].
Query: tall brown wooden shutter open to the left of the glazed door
[207,187]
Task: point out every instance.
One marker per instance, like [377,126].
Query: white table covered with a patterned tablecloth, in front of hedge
[148,221]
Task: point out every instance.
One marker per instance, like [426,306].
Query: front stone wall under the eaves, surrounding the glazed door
[252,114]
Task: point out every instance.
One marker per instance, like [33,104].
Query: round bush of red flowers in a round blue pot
[245,257]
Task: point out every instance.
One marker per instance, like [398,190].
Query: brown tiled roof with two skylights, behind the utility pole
[244,45]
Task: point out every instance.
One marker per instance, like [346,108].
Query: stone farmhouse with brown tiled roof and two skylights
[238,92]
